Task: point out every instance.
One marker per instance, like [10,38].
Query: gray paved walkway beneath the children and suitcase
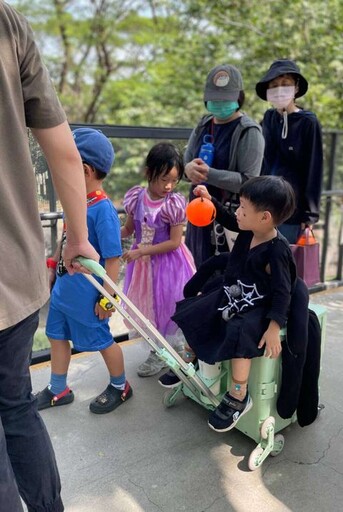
[146,458]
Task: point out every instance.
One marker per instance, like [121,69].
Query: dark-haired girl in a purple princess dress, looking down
[159,263]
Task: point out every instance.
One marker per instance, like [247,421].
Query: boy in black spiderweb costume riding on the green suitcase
[241,315]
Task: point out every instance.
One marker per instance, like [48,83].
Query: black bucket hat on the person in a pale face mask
[278,68]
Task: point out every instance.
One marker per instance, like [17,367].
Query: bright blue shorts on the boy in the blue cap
[60,326]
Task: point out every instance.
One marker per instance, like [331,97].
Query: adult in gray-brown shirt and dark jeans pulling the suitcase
[28,99]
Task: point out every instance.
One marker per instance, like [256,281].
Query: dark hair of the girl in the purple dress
[161,159]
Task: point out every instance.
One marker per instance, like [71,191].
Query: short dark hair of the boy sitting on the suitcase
[270,193]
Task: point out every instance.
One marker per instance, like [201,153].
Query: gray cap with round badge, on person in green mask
[223,83]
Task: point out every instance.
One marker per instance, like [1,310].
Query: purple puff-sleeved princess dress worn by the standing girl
[155,283]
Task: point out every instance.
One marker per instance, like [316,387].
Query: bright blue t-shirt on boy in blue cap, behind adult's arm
[75,295]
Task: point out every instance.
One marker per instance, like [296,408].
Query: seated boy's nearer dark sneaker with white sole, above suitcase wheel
[228,412]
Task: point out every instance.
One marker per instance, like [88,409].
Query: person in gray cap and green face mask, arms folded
[224,150]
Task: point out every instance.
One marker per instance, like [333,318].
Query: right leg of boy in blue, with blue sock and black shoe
[118,390]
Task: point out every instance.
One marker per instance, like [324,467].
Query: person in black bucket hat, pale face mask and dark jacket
[293,139]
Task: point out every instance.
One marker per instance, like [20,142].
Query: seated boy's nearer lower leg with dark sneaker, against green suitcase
[236,402]
